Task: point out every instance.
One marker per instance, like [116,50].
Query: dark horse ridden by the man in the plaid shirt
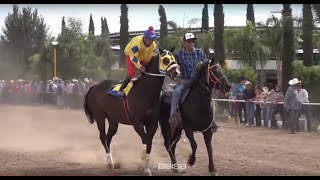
[196,113]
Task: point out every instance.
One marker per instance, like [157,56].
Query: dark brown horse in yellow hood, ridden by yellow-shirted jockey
[139,108]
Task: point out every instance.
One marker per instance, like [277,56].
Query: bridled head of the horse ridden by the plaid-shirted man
[216,78]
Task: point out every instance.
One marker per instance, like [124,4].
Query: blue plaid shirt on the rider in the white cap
[189,61]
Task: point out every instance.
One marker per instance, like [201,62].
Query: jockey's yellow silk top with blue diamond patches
[139,52]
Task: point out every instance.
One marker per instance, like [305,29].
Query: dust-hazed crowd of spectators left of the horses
[63,93]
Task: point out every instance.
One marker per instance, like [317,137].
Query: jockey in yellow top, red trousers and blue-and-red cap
[138,52]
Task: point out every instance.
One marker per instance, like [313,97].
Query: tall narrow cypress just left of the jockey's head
[124,32]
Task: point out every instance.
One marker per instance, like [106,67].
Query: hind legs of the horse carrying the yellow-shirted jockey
[106,139]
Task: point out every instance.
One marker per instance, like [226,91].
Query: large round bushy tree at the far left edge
[24,34]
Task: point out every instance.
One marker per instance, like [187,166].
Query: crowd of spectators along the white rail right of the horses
[263,103]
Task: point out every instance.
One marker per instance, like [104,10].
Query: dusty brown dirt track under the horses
[46,141]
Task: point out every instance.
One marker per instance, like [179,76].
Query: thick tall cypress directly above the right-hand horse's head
[219,50]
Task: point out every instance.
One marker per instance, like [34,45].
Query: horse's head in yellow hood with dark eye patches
[167,64]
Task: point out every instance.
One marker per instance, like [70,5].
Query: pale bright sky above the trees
[141,16]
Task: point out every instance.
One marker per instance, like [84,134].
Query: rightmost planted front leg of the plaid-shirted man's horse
[207,135]
